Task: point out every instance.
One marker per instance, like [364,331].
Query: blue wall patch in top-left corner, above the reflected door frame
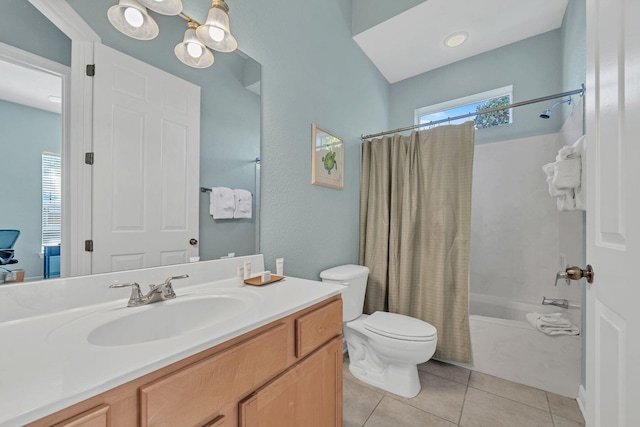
[24,27]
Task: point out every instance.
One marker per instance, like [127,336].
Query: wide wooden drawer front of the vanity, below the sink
[195,394]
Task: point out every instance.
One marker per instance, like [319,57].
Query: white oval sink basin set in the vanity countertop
[163,320]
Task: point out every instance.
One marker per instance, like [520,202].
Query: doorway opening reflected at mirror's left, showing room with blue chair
[31,149]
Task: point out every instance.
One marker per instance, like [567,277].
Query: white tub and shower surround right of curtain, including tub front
[518,239]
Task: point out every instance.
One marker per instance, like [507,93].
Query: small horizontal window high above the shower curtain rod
[470,104]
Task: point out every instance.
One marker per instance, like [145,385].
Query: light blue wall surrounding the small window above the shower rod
[533,66]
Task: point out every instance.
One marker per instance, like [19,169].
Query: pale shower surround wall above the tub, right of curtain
[518,237]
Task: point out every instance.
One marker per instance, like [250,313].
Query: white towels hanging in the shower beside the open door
[566,176]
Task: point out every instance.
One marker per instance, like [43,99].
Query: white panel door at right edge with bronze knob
[613,213]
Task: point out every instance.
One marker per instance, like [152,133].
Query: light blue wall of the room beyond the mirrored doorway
[26,133]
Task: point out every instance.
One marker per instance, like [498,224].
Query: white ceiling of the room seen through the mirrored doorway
[30,87]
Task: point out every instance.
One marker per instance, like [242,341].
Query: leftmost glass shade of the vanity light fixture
[131,18]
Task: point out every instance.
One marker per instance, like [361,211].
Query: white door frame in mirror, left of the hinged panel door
[77,139]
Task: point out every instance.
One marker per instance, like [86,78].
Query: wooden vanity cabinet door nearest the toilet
[309,394]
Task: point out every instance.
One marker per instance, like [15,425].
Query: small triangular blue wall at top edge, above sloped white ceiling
[368,13]
